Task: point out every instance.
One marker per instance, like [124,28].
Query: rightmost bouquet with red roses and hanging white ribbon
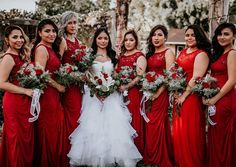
[207,88]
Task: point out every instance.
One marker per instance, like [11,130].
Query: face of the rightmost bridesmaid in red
[226,37]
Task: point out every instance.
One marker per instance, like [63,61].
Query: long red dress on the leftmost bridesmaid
[17,148]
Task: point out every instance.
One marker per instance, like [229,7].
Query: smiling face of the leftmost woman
[15,39]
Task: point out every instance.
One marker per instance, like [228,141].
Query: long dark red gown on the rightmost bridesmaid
[221,136]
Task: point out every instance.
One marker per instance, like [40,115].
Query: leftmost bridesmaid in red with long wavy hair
[16,149]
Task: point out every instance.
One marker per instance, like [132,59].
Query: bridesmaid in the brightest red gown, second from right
[189,134]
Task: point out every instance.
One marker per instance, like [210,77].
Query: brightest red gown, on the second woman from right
[189,134]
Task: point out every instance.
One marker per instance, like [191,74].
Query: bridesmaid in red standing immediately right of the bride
[131,56]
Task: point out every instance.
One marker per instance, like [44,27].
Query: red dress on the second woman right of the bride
[158,145]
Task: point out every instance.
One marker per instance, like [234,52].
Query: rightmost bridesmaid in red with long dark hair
[221,136]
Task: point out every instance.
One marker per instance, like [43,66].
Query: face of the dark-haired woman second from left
[48,34]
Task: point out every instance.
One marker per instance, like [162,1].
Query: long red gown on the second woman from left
[49,126]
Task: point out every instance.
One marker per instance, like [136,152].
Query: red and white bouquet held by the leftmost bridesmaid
[32,76]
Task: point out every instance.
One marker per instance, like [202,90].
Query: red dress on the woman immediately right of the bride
[134,95]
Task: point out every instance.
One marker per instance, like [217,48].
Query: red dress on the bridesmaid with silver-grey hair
[71,99]
